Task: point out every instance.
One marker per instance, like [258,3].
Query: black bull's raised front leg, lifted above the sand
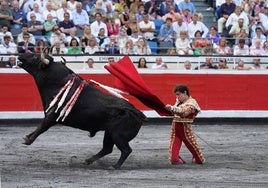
[47,122]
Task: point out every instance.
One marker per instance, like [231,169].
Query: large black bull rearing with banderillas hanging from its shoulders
[93,110]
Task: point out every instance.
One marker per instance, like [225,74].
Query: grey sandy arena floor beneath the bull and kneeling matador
[236,156]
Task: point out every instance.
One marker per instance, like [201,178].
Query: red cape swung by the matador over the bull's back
[128,79]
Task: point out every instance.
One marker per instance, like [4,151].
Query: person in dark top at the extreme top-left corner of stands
[6,15]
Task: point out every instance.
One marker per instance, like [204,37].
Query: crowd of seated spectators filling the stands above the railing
[129,27]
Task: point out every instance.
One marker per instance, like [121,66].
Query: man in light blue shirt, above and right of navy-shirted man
[80,16]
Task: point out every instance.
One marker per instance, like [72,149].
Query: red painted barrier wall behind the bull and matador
[227,91]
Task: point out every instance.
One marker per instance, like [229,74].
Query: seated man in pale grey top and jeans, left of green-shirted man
[36,28]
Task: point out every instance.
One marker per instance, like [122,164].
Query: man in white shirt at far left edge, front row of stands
[8,48]
